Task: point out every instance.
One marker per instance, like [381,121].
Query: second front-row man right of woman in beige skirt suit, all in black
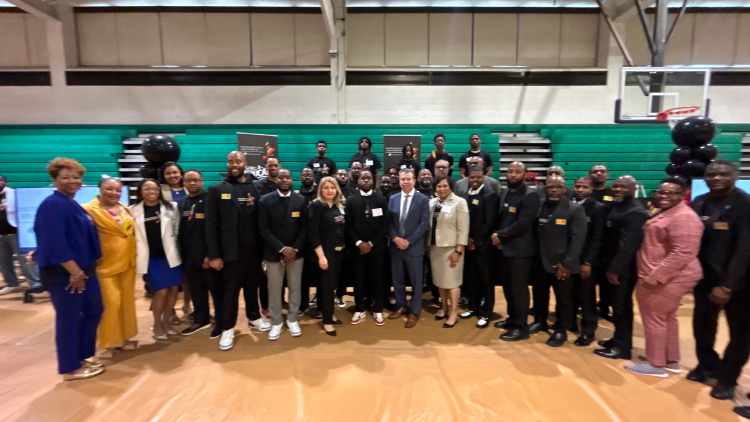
[515,236]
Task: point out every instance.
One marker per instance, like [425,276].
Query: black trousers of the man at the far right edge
[705,322]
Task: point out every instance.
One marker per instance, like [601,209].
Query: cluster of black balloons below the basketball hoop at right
[694,150]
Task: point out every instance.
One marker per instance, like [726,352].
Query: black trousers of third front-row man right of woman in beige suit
[563,299]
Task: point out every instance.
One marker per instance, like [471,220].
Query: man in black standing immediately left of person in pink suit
[623,234]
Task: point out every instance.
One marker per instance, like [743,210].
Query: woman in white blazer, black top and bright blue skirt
[157,255]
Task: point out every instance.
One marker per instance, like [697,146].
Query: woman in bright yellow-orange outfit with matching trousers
[116,268]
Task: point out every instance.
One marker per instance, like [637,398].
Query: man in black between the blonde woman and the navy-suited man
[367,224]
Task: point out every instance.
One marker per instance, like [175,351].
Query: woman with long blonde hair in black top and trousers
[327,235]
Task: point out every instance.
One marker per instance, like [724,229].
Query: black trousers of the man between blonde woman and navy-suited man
[368,289]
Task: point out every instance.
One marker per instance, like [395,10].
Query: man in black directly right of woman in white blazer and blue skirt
[191,240]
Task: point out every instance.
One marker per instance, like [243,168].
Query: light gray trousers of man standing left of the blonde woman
[275,272]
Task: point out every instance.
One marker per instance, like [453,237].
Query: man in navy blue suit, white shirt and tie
[409,224]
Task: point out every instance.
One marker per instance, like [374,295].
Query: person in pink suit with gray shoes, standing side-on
[668,269]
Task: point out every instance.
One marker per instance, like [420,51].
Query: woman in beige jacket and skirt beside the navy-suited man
[449,215]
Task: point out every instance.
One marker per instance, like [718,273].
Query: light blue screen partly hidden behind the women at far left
[27,201]
